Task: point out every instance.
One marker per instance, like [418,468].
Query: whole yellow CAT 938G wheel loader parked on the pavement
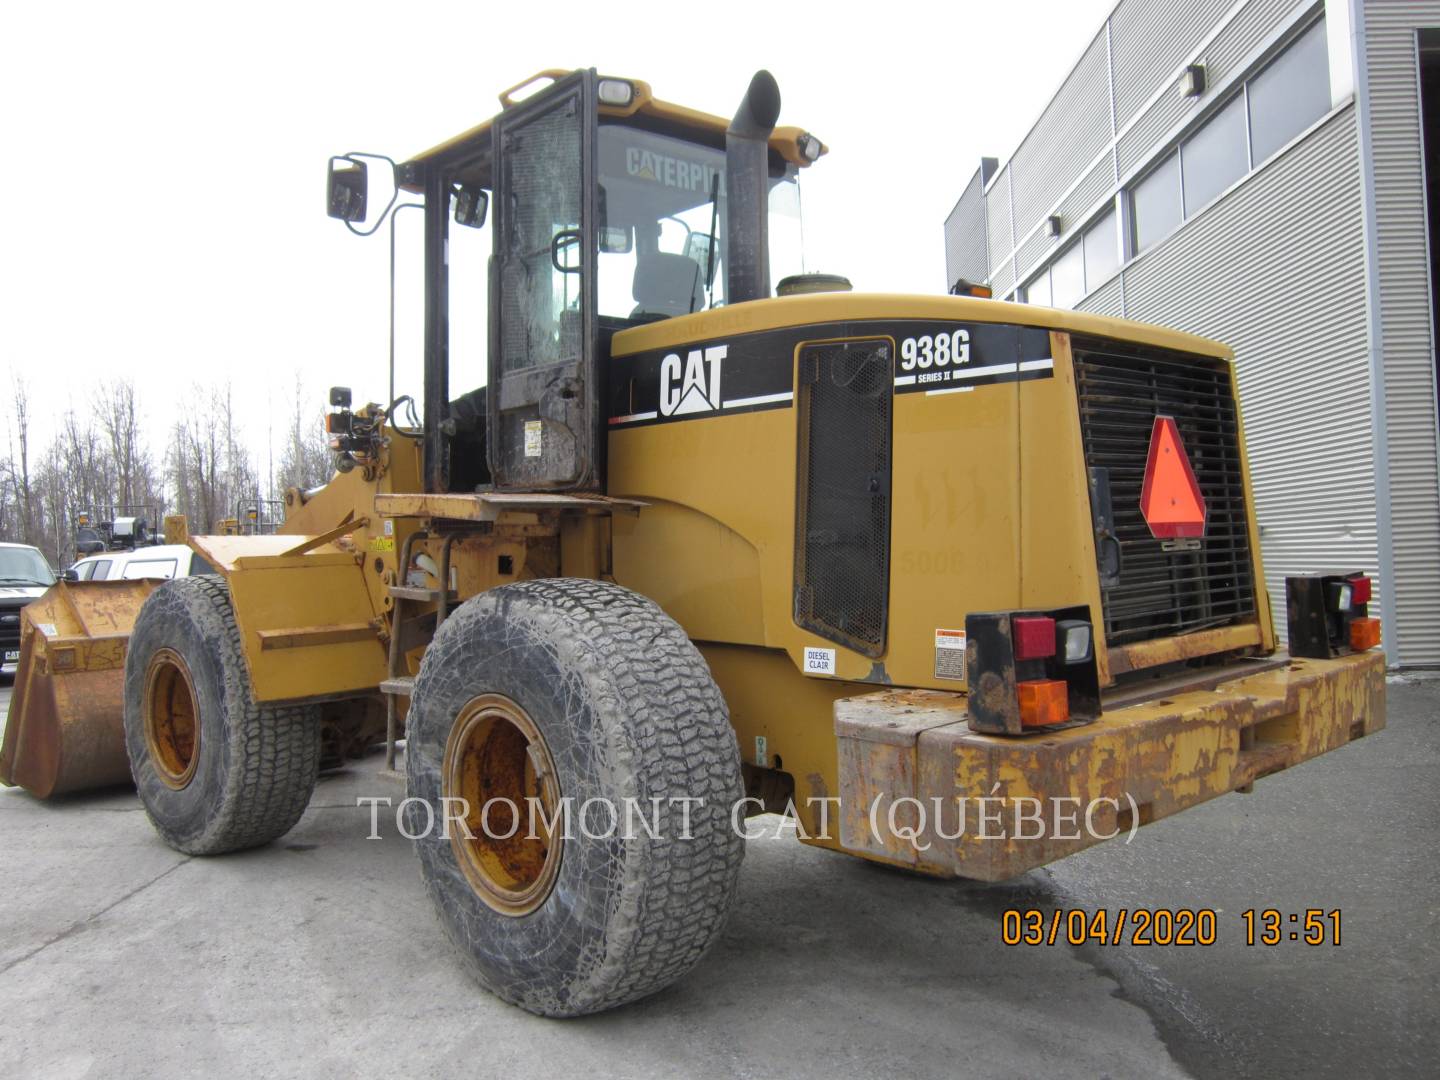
[963,587]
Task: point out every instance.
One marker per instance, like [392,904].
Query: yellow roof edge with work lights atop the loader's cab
[469,153]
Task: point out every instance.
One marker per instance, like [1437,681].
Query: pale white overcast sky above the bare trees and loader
[163,172]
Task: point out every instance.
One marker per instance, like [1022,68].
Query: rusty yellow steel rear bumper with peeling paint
[919,788]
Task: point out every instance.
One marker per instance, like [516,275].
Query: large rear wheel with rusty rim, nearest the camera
[610,695]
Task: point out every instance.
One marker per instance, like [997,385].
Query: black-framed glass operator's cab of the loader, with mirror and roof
[611,211]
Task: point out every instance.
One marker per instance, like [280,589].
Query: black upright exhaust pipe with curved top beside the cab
[748,191]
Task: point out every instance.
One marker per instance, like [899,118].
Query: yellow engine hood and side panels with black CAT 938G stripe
[990,506]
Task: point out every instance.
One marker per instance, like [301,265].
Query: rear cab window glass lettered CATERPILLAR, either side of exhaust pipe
[663,225]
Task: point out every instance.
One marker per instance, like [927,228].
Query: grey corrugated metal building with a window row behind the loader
[1255,171]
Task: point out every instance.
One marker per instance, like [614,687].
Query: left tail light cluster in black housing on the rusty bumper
[1030,670]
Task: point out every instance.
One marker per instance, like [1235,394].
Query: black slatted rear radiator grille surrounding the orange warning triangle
[1160,594]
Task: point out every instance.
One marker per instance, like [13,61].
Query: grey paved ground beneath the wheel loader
[320,957]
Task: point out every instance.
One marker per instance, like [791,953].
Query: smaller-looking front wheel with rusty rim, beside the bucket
[215,770]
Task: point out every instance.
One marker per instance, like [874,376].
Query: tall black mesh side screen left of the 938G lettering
[843,521]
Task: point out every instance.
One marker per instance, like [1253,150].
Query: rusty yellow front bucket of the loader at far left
[67,725]
